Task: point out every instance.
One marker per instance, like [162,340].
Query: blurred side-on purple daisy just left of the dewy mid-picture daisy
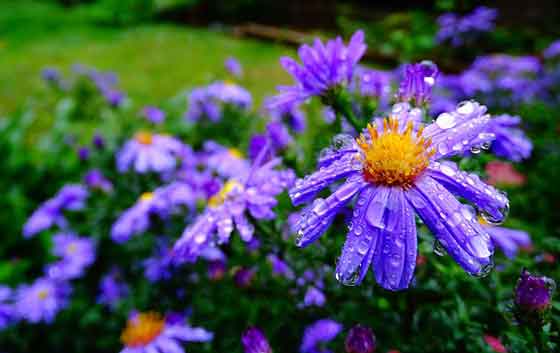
[162,202]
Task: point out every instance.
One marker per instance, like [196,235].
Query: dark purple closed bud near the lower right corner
[533,293]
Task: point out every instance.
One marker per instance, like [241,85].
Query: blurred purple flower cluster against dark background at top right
[461,29]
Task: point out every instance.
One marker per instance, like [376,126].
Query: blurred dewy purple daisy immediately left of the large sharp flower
[254,194]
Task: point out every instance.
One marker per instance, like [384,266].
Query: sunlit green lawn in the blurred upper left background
[153,61]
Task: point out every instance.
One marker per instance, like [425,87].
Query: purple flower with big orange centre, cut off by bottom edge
[150,333]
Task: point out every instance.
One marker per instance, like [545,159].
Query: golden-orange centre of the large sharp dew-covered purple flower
[394,158]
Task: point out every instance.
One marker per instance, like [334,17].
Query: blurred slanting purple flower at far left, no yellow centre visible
[71,197]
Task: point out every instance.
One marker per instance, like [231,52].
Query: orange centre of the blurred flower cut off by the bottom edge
[142,329]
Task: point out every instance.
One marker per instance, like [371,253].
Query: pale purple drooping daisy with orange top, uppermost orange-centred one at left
[148,152]
